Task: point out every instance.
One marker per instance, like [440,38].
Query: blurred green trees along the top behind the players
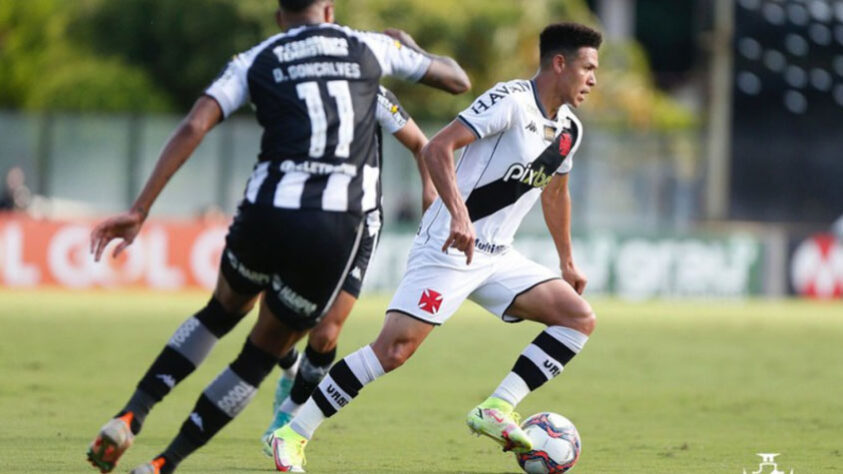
[147,56]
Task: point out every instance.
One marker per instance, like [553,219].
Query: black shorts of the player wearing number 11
[298,257]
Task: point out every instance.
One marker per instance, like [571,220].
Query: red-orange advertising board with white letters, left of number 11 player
[169,255]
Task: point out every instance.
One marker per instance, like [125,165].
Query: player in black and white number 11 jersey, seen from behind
[300,223]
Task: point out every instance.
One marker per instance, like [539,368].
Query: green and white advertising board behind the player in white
[630,266]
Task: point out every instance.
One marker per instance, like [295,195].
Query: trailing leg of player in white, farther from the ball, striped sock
[399,338]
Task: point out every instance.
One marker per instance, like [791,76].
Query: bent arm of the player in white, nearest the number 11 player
[438,156]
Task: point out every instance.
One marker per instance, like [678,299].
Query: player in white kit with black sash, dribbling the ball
[518,141]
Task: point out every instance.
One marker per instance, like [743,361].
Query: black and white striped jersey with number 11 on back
[315,91]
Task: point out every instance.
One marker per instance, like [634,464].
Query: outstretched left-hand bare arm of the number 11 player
[206,113]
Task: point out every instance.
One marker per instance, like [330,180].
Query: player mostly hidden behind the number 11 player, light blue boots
[301,374]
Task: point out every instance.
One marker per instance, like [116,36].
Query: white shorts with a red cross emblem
[436,284]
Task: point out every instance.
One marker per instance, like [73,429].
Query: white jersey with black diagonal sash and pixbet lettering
[500,176]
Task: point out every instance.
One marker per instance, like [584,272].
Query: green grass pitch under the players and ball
[662,387]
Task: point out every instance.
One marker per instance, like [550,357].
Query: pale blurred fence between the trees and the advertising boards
[621,179]
